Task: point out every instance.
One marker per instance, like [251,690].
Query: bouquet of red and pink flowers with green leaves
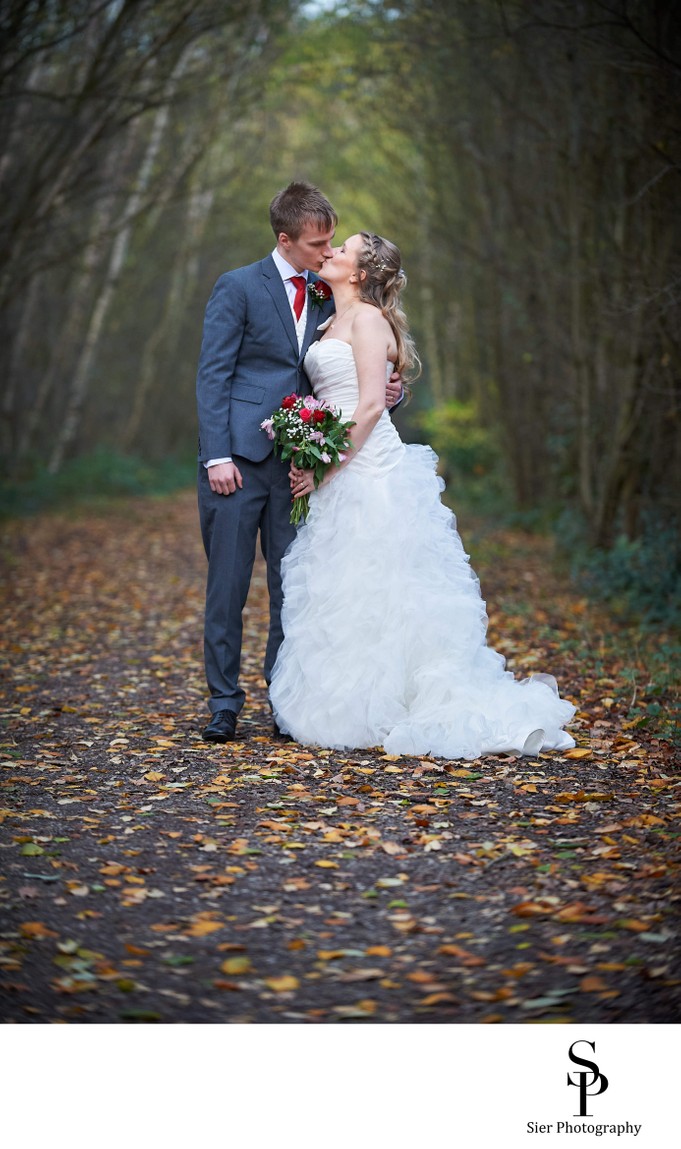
[313,435]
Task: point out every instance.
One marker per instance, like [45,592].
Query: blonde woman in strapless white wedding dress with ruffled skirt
[384,623]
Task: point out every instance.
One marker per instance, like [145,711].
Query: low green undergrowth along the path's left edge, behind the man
[91,480]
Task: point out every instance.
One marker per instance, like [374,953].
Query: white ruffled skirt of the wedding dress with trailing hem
[385,630]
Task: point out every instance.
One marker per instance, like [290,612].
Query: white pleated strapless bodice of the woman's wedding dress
[331,369]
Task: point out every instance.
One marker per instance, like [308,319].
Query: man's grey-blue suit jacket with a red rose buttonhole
[250,360]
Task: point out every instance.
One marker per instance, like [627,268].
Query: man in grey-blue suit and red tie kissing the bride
[260,322]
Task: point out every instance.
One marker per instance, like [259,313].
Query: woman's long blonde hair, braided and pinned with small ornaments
[382,286]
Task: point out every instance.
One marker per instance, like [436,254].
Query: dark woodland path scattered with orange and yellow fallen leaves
[151,877]
